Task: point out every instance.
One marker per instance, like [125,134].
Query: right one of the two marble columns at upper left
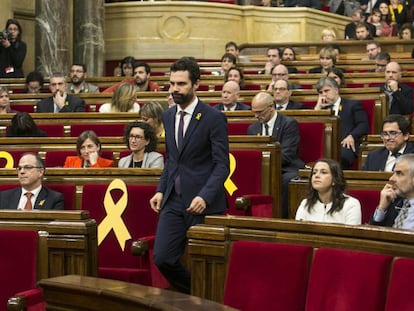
[88,35]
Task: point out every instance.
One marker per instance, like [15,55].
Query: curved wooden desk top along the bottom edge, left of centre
[74,292]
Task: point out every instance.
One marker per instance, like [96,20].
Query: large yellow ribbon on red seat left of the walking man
[114,212]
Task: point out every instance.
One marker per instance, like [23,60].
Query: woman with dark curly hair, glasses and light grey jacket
[141,140]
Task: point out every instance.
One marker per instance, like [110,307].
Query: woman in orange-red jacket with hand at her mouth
[88,147]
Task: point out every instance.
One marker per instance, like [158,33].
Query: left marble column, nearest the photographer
[53,36]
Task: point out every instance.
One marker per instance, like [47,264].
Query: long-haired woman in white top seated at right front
[326,200]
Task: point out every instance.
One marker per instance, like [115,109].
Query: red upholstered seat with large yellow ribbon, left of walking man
[131,210]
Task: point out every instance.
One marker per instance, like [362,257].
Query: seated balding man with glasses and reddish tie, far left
[31,194]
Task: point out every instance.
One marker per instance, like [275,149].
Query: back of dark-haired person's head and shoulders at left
[23,125]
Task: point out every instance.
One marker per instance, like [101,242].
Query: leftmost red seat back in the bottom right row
[278,273]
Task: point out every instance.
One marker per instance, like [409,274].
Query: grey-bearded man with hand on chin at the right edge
[395,208]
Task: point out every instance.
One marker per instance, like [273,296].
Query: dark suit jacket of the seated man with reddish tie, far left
[46,200]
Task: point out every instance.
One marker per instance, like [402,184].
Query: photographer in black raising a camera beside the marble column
[12,50]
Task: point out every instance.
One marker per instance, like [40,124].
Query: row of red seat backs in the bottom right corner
[336,279]
